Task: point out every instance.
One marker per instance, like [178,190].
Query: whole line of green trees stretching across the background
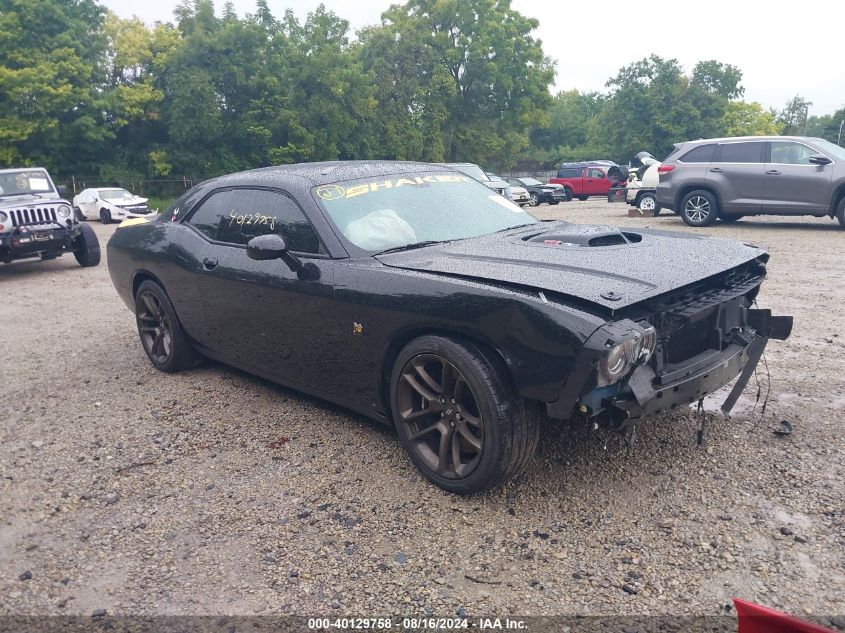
[85,92]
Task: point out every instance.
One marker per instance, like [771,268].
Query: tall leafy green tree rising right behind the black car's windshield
[477,79]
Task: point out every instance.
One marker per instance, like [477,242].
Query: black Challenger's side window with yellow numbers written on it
[237,215]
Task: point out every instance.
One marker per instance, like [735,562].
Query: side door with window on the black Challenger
[260,315]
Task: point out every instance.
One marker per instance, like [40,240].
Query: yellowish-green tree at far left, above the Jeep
[52,61]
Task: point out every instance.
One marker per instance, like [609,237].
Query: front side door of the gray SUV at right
[792,183]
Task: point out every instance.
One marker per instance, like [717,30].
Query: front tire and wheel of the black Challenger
[493,428]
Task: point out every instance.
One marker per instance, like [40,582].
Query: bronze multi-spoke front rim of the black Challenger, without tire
[441,414]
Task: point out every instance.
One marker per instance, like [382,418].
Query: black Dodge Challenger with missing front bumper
[415,295]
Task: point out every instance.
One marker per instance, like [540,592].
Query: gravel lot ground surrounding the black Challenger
[126,489]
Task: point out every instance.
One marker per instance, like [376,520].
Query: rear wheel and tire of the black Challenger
[162,337]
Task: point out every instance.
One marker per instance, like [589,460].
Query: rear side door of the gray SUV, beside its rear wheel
[736,174]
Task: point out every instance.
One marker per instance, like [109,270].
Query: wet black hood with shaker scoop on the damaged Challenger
[599,264]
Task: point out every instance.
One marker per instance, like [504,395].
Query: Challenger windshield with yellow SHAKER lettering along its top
[383,212]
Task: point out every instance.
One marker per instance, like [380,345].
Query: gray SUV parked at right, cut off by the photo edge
[729,178]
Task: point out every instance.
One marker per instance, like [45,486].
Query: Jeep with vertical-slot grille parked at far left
[35,221]
